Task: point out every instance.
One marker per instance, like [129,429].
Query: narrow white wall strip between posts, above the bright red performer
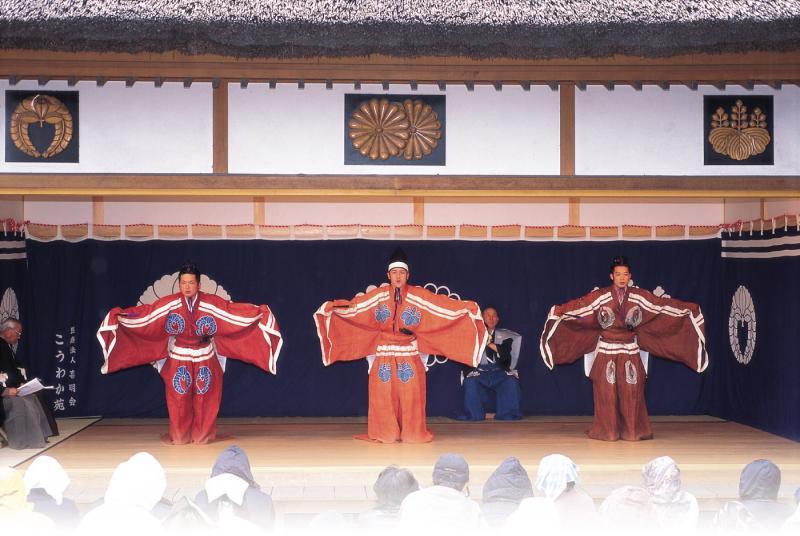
[177,211]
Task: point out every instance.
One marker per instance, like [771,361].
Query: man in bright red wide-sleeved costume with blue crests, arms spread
[190,332]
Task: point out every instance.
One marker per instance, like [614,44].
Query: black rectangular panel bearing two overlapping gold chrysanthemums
[394,130]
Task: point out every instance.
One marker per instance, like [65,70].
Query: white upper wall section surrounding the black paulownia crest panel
[657,132]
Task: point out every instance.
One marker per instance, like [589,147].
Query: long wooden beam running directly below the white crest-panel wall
[420,186]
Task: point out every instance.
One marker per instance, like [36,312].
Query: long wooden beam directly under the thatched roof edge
[705,68]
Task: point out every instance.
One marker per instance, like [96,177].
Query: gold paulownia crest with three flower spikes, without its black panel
[739,135]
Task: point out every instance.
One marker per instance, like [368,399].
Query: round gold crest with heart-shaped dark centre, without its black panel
[41,109]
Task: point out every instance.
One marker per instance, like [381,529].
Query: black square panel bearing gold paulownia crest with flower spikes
[738,130]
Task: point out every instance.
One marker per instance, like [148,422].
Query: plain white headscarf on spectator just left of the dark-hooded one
[140,482]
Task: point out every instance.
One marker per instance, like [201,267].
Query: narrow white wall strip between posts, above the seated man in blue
[501,211]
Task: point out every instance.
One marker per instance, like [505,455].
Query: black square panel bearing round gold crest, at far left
[41,126]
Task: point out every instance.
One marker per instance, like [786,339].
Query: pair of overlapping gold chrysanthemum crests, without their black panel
[380,129]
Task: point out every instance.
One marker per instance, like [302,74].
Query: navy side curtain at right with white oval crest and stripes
[758,363]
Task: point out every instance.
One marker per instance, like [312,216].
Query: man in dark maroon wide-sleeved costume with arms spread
[616,328]
